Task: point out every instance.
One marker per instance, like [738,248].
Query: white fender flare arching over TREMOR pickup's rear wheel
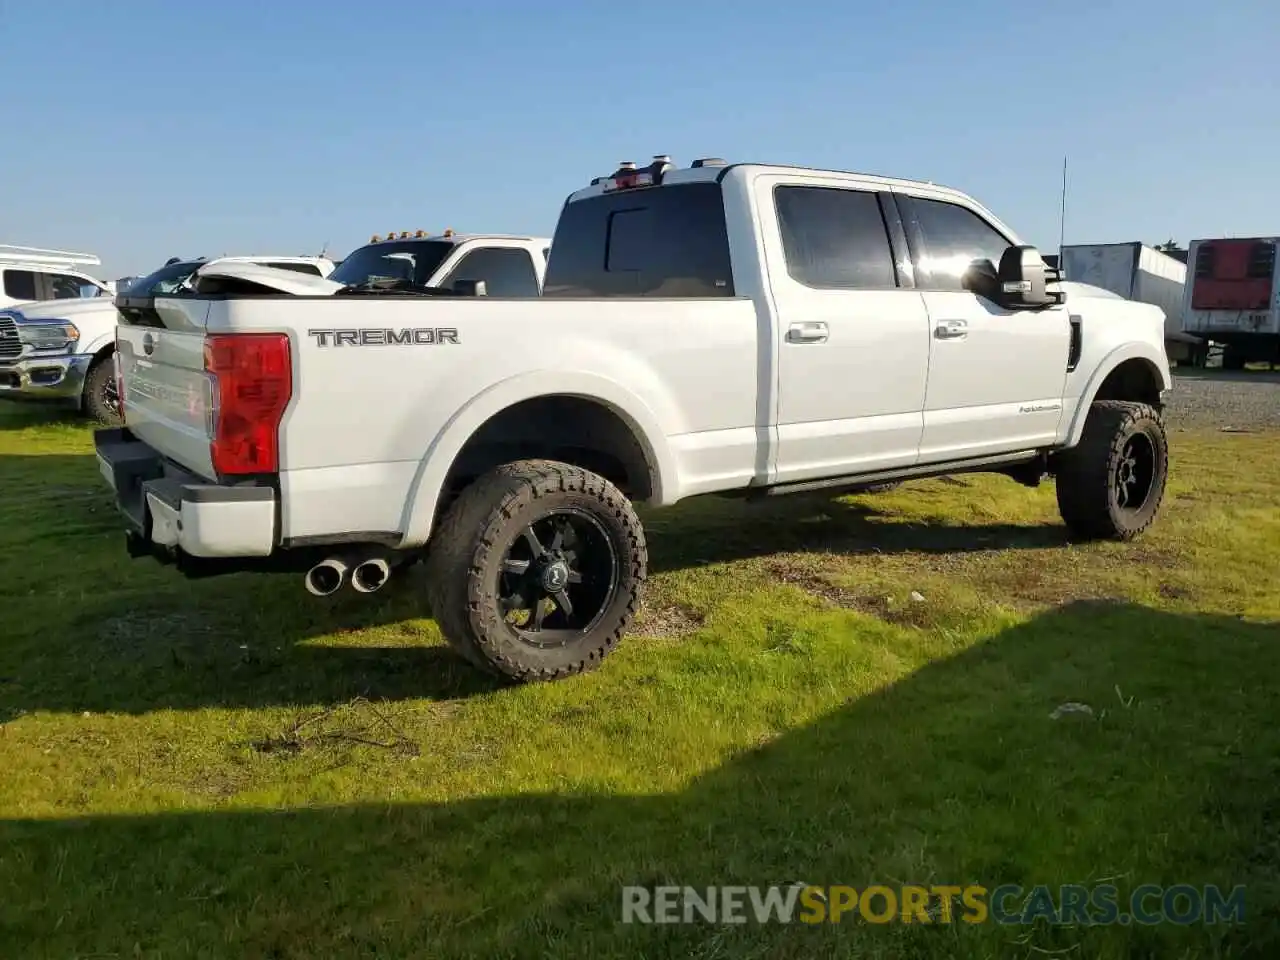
[441,455]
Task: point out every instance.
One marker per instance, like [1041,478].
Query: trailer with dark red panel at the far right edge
[1235,298]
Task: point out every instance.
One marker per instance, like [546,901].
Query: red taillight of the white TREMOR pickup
[252,381]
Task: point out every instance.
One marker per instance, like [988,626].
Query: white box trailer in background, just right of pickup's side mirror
[1142,273]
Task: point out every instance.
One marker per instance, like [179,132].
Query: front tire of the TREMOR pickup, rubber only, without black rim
[1089,484]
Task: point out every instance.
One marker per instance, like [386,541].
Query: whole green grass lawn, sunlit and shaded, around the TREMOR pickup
[234,769]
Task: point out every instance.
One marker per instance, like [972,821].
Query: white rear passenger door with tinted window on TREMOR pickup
[853,333]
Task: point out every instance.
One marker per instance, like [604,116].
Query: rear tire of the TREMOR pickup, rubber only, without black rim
[468,550]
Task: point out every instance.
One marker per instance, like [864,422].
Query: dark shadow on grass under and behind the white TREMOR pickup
[92,630]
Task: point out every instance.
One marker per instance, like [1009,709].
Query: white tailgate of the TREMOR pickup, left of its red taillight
[161,349]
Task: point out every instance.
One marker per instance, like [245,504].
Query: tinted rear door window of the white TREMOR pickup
[835,239]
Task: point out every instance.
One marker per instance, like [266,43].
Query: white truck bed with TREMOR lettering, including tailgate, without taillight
[401,378]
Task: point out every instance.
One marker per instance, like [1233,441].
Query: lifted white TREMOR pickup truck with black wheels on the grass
[724,328]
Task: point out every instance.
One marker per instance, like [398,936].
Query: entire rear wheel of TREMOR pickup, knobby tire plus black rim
[536,570]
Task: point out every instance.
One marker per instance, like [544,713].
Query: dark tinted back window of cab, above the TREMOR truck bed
[659,243]
